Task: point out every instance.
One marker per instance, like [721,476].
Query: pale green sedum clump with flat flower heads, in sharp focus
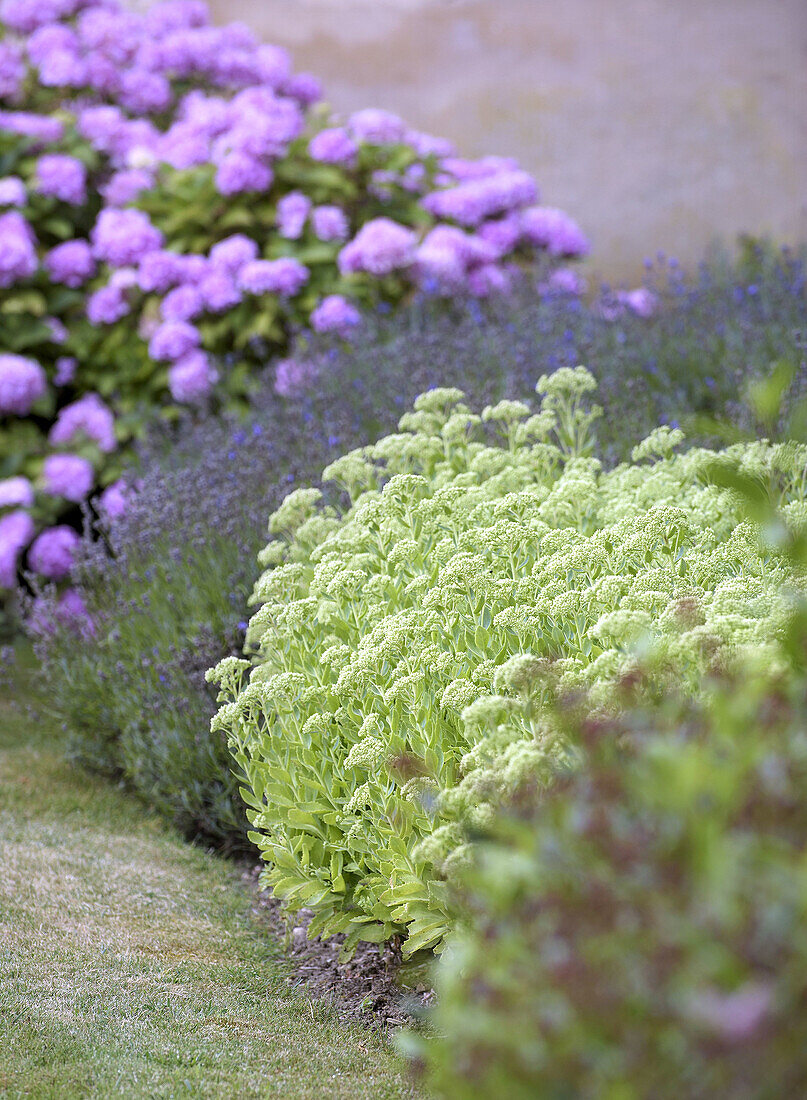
[406,647]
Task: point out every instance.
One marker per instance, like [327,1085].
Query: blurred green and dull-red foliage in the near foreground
[639,931]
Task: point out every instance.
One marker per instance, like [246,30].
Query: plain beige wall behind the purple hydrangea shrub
[657,124]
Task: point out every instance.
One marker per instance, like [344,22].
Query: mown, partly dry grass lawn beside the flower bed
[131,965]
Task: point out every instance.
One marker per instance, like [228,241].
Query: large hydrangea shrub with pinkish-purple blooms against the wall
[175,203]
